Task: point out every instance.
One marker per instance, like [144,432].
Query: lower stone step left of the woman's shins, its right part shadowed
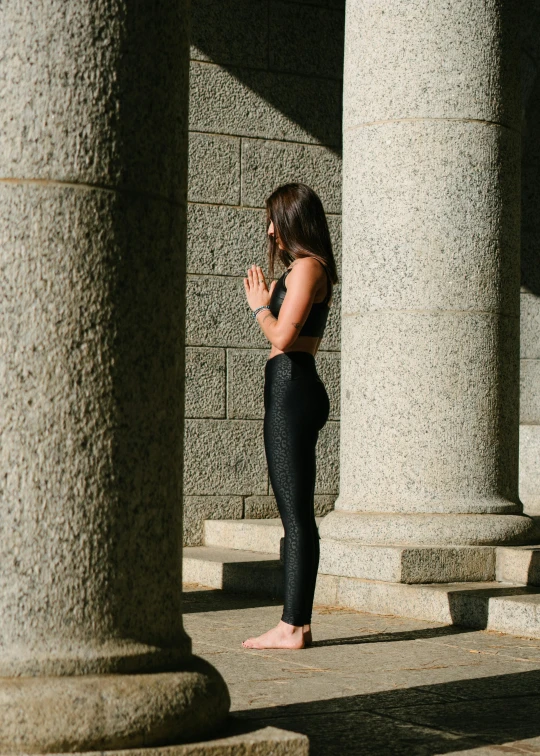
[233,570]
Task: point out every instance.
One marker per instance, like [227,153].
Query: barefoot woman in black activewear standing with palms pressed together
[293,316]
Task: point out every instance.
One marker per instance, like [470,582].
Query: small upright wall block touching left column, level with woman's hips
[205,382]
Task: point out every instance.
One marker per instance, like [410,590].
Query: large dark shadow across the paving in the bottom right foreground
[424,721]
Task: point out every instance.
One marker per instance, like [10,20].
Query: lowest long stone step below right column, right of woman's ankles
[507,608]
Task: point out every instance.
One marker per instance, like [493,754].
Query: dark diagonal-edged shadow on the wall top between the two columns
[289,53]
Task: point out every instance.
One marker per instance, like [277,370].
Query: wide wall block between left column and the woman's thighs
[224,457]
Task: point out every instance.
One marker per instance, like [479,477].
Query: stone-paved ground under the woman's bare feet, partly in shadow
[375,684]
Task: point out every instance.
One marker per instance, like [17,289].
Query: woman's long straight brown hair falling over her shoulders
[299,220]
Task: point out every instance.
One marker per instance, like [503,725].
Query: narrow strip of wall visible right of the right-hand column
[529,432]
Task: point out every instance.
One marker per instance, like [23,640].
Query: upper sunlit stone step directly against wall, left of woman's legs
[262,536]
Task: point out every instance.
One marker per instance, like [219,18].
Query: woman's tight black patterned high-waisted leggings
[296,408]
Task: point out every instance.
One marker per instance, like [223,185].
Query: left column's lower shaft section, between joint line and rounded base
[91,330]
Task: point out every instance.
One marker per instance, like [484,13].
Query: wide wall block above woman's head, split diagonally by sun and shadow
[264,104]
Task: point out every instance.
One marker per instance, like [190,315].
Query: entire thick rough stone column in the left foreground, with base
[93,143]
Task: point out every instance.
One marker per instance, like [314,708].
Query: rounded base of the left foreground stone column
[111,712]
